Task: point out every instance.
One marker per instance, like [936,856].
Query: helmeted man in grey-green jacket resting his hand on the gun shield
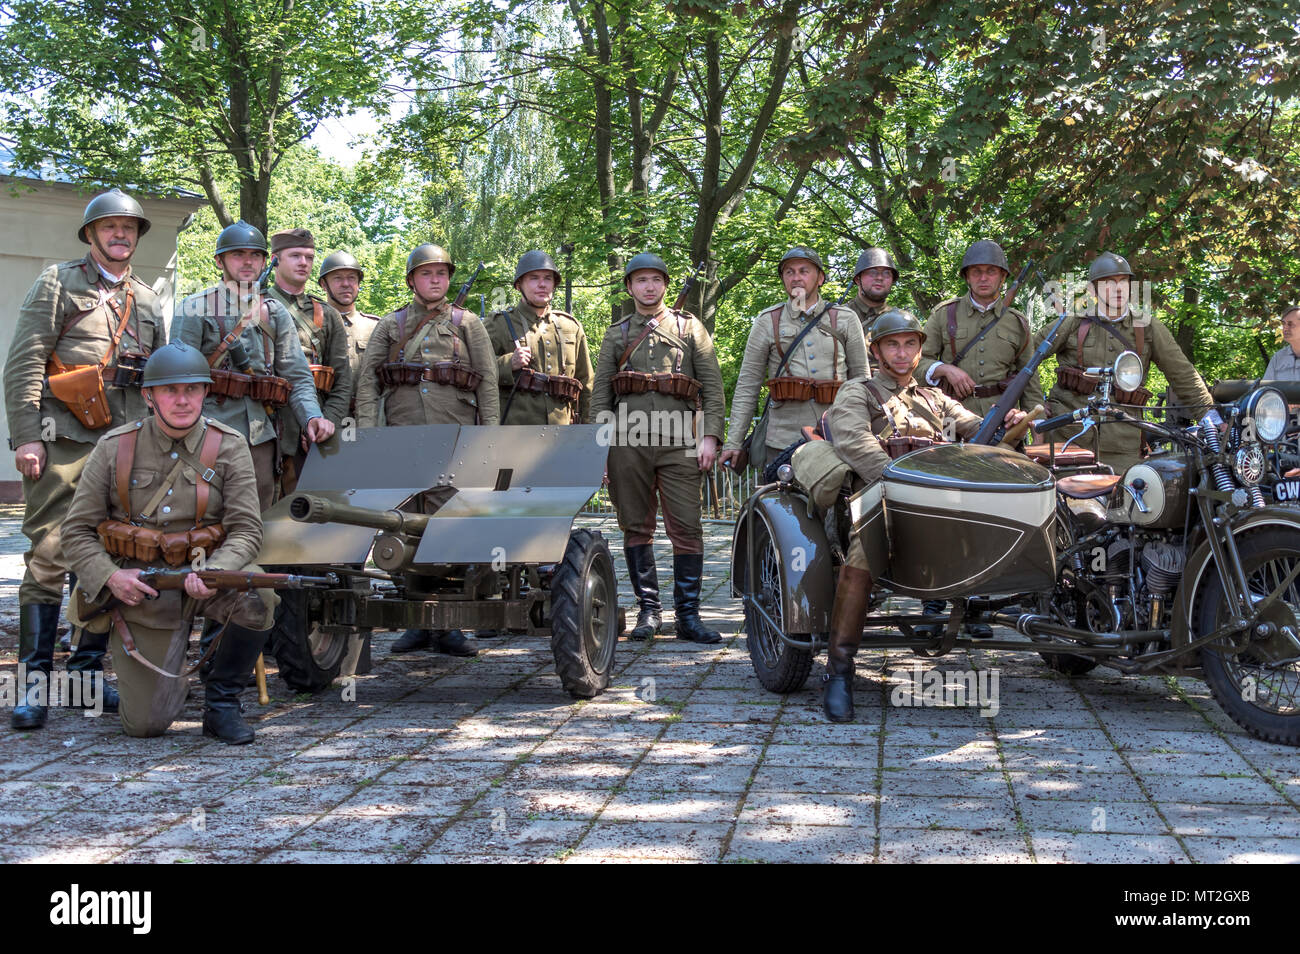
[253,346]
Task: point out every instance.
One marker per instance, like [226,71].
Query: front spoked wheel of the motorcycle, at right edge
[1263,699]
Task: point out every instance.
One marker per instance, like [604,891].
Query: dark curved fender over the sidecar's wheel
[808,574]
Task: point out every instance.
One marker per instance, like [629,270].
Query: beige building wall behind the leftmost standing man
[38,228]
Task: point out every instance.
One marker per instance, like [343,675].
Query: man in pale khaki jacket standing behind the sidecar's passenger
[829,355]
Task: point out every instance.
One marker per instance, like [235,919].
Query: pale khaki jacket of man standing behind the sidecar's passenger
[813,359]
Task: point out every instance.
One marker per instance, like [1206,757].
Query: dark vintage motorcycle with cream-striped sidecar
[1178,566]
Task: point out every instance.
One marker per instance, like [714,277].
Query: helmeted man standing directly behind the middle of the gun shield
[428,363]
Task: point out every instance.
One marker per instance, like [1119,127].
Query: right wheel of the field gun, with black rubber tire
[583,586]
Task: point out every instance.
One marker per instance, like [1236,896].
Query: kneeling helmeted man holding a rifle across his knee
[190,478]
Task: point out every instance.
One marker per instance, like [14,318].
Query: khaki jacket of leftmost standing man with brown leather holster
[67,314]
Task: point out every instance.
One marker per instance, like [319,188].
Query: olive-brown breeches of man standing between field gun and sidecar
[644,480]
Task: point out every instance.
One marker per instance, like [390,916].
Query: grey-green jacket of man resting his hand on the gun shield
[207,318]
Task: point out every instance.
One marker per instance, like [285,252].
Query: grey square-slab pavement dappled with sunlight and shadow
[684,760]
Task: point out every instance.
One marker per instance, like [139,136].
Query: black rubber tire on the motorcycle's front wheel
[1271,727]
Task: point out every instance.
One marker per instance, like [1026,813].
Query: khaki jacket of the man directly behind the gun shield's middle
[437,340]
